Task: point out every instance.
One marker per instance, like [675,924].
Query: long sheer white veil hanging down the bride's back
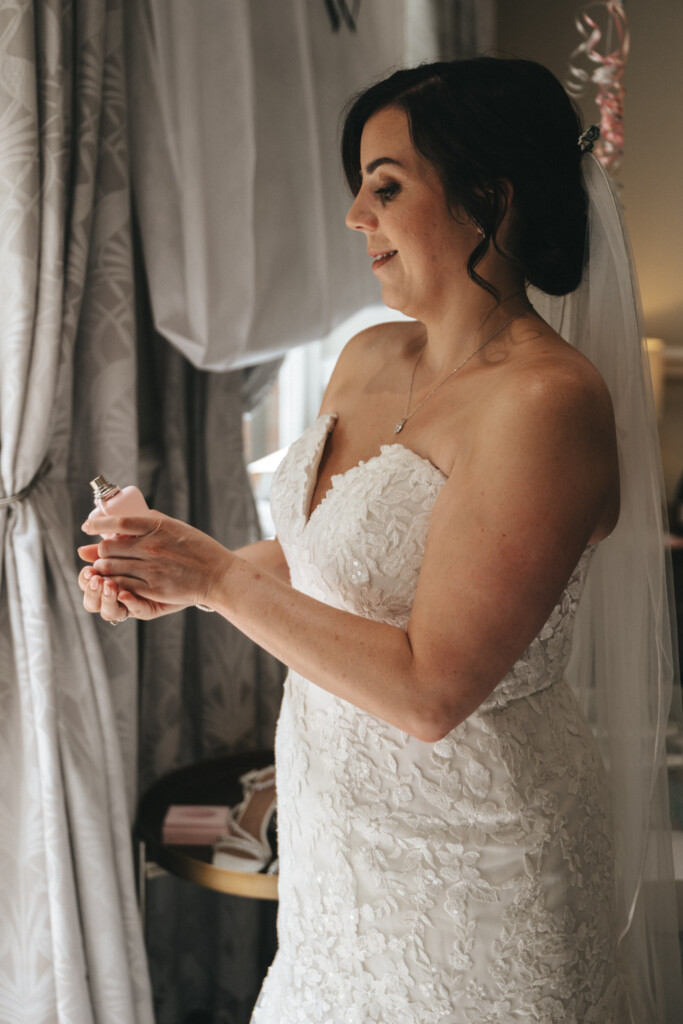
[625,649]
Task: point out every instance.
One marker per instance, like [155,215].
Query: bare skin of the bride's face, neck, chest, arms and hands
[525,435]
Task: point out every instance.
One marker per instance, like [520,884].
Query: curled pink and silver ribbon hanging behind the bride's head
[607,74]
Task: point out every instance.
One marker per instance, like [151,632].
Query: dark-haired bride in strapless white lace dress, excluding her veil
[446,854]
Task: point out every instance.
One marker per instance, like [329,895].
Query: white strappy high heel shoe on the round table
[247,847]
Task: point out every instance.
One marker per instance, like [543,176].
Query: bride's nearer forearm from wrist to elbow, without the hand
[367,663]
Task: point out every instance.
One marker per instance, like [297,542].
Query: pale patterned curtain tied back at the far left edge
[71,947]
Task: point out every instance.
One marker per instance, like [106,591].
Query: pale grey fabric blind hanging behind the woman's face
[237,170]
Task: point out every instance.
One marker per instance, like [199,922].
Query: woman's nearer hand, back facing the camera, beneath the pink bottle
[160,560]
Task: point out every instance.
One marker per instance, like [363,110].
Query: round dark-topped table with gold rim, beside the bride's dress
[215,782]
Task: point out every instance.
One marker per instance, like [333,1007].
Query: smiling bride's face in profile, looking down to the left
[419,250]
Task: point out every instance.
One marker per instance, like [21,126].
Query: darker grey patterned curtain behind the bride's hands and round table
[206,690]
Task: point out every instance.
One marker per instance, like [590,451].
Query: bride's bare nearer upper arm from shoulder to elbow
[506,534]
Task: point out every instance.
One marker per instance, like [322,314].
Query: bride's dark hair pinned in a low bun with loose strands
[483,123]
